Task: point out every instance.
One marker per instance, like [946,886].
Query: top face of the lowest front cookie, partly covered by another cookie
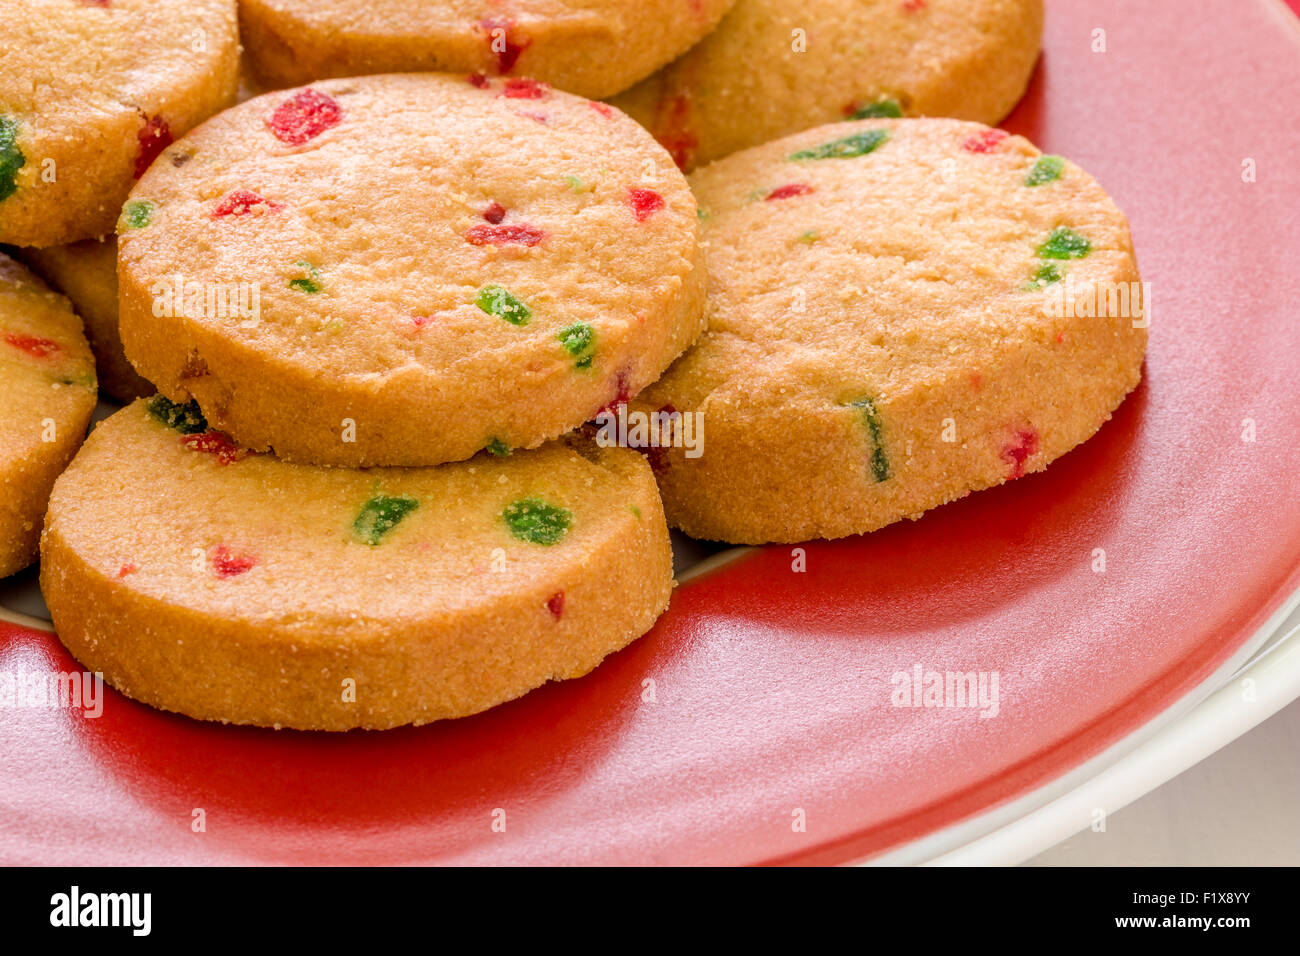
[176,514]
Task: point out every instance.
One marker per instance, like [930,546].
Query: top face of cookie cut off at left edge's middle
[47,374]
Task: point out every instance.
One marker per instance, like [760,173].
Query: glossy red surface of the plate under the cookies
[773,689]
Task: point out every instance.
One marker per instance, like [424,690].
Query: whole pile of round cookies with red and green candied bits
[384,308]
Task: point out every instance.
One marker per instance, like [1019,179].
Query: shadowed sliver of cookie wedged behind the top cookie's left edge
[86,272]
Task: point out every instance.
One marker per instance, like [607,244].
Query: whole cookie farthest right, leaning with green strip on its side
[900,313]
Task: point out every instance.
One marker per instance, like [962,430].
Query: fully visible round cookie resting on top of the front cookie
[406,270]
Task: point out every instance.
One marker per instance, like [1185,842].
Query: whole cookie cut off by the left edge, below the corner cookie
[47,395]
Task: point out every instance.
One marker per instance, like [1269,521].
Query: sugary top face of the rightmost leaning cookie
[883,254]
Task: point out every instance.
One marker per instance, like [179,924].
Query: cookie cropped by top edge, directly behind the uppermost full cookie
[588,47]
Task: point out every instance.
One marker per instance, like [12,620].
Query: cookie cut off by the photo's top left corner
[90,94]
